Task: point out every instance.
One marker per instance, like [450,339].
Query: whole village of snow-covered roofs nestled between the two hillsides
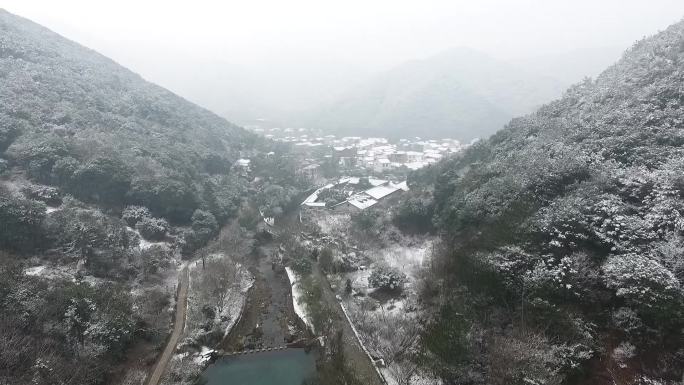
[356,173]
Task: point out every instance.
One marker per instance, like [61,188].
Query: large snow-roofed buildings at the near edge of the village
[356,193]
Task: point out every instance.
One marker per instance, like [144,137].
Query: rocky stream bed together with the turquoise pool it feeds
[268,322]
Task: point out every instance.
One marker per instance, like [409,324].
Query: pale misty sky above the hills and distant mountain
[172,42]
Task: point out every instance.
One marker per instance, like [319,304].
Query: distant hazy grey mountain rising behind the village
[460,93]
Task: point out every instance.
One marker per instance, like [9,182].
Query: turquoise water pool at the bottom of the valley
[284,367]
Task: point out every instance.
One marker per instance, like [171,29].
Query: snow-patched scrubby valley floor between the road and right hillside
[387,324]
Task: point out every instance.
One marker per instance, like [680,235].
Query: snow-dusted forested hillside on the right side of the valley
[563,235]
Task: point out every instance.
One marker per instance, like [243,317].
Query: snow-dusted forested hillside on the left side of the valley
[106,183]
